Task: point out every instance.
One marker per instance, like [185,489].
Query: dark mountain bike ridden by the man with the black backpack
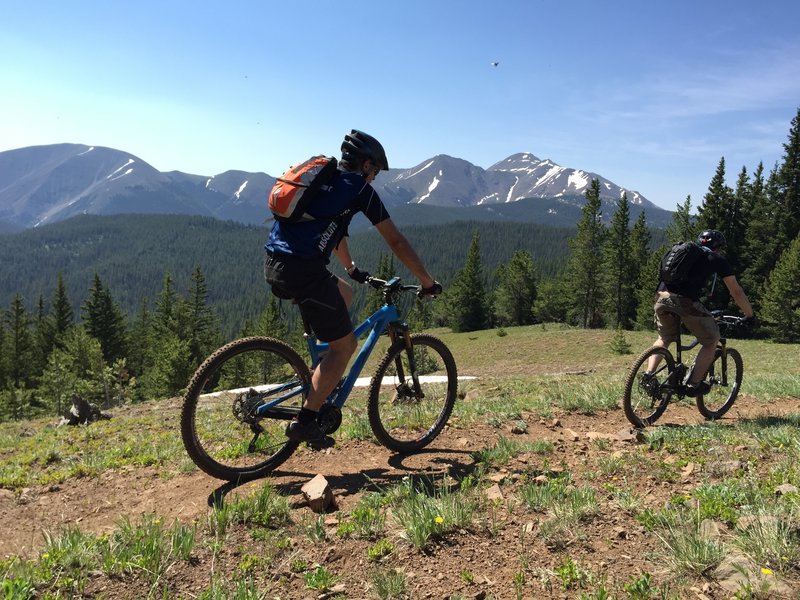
[647,396]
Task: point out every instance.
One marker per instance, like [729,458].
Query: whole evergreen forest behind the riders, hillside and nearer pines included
[123,308]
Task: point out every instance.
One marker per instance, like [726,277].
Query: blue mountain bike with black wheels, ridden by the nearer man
[241,398]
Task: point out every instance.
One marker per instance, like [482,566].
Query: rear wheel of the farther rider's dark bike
[646,398]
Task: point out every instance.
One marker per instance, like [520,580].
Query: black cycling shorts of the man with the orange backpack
[314,289]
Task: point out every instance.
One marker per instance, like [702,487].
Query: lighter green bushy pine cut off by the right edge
[781,301]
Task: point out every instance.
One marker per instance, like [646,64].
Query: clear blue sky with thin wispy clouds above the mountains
[648,94]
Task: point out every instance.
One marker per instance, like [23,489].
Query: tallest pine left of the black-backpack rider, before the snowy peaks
[583,273]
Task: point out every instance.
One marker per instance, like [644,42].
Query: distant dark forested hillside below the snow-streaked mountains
[131,253]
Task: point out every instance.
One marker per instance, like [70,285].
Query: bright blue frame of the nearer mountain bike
[386,317]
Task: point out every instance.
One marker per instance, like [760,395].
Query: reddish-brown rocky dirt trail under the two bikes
[96,504]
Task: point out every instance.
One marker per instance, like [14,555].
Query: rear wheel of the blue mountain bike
[221,432]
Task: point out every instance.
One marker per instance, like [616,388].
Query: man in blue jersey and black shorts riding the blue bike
[296,267]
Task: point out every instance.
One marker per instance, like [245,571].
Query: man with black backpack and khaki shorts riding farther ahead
[680,302]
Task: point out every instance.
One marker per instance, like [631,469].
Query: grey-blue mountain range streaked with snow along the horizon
[45,184]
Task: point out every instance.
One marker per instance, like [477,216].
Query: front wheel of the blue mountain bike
[406,412]
